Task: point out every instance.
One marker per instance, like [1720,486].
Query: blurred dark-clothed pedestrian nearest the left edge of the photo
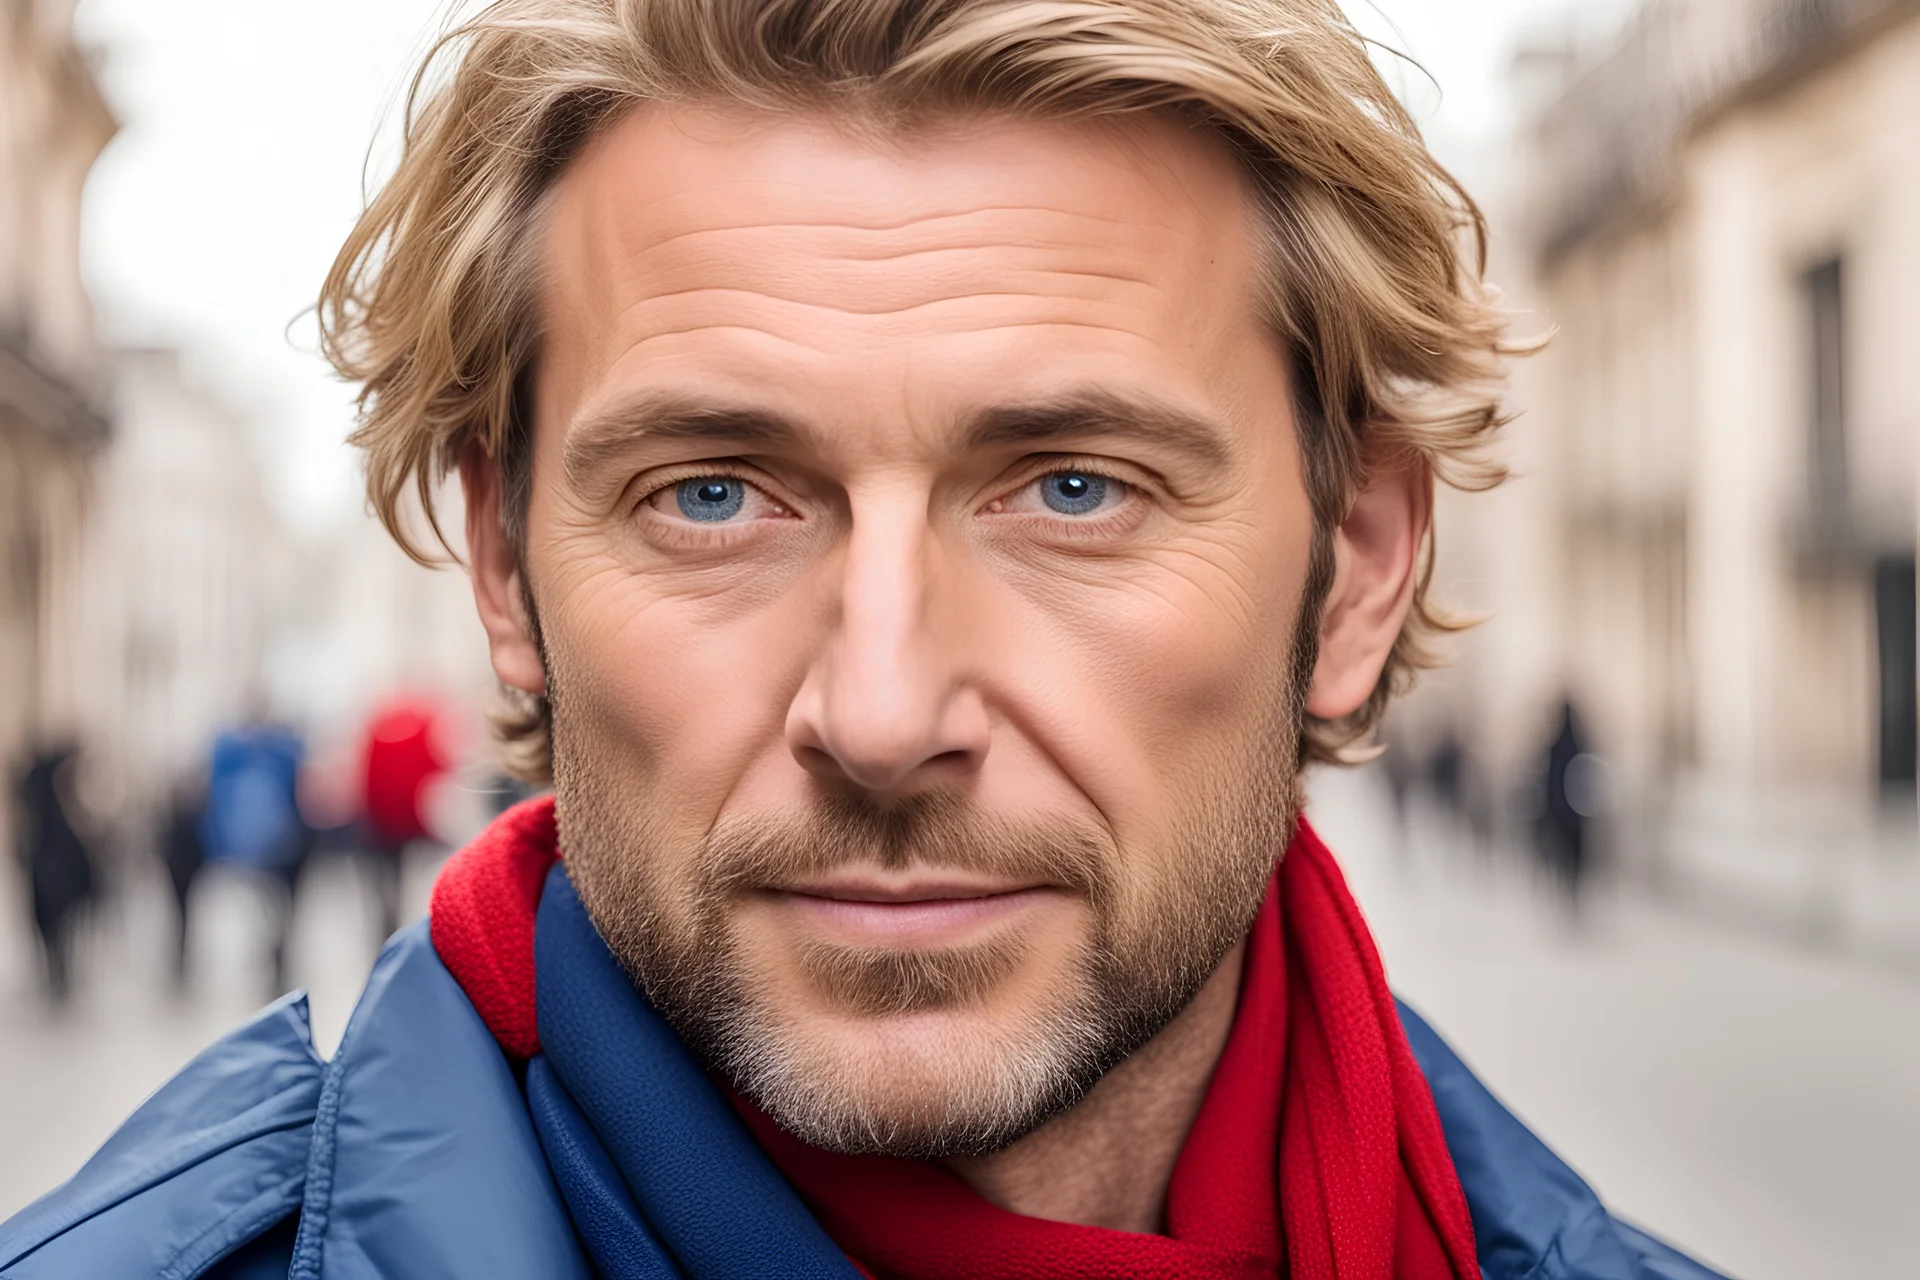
[60,866]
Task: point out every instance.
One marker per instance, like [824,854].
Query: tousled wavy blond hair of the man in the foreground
[1376,254]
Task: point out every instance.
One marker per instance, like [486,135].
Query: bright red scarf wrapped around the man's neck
[1316,1070]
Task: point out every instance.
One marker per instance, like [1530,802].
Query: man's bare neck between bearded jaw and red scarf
[1107,1162]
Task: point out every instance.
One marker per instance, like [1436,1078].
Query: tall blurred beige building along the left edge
[53,377]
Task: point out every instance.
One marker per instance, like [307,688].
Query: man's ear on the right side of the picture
[1376,557]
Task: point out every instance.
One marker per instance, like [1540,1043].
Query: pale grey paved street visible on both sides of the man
[1754,1102]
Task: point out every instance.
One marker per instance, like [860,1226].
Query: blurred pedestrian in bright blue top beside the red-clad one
[252,820]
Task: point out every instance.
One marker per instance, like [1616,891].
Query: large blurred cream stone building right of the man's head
[1723,222]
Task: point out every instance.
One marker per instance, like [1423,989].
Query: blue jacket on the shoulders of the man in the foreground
[414,1154]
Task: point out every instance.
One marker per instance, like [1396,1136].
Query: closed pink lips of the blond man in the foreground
[911,914]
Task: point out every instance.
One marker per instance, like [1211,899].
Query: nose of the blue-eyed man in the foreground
[890,705]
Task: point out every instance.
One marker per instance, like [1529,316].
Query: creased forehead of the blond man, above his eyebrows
[706,249]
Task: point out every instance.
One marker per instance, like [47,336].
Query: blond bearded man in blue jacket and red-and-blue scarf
[936,471]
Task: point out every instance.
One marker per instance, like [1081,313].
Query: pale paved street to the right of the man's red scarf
[1758,1104]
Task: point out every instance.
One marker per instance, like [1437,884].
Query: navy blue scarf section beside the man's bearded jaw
[661,1177]
